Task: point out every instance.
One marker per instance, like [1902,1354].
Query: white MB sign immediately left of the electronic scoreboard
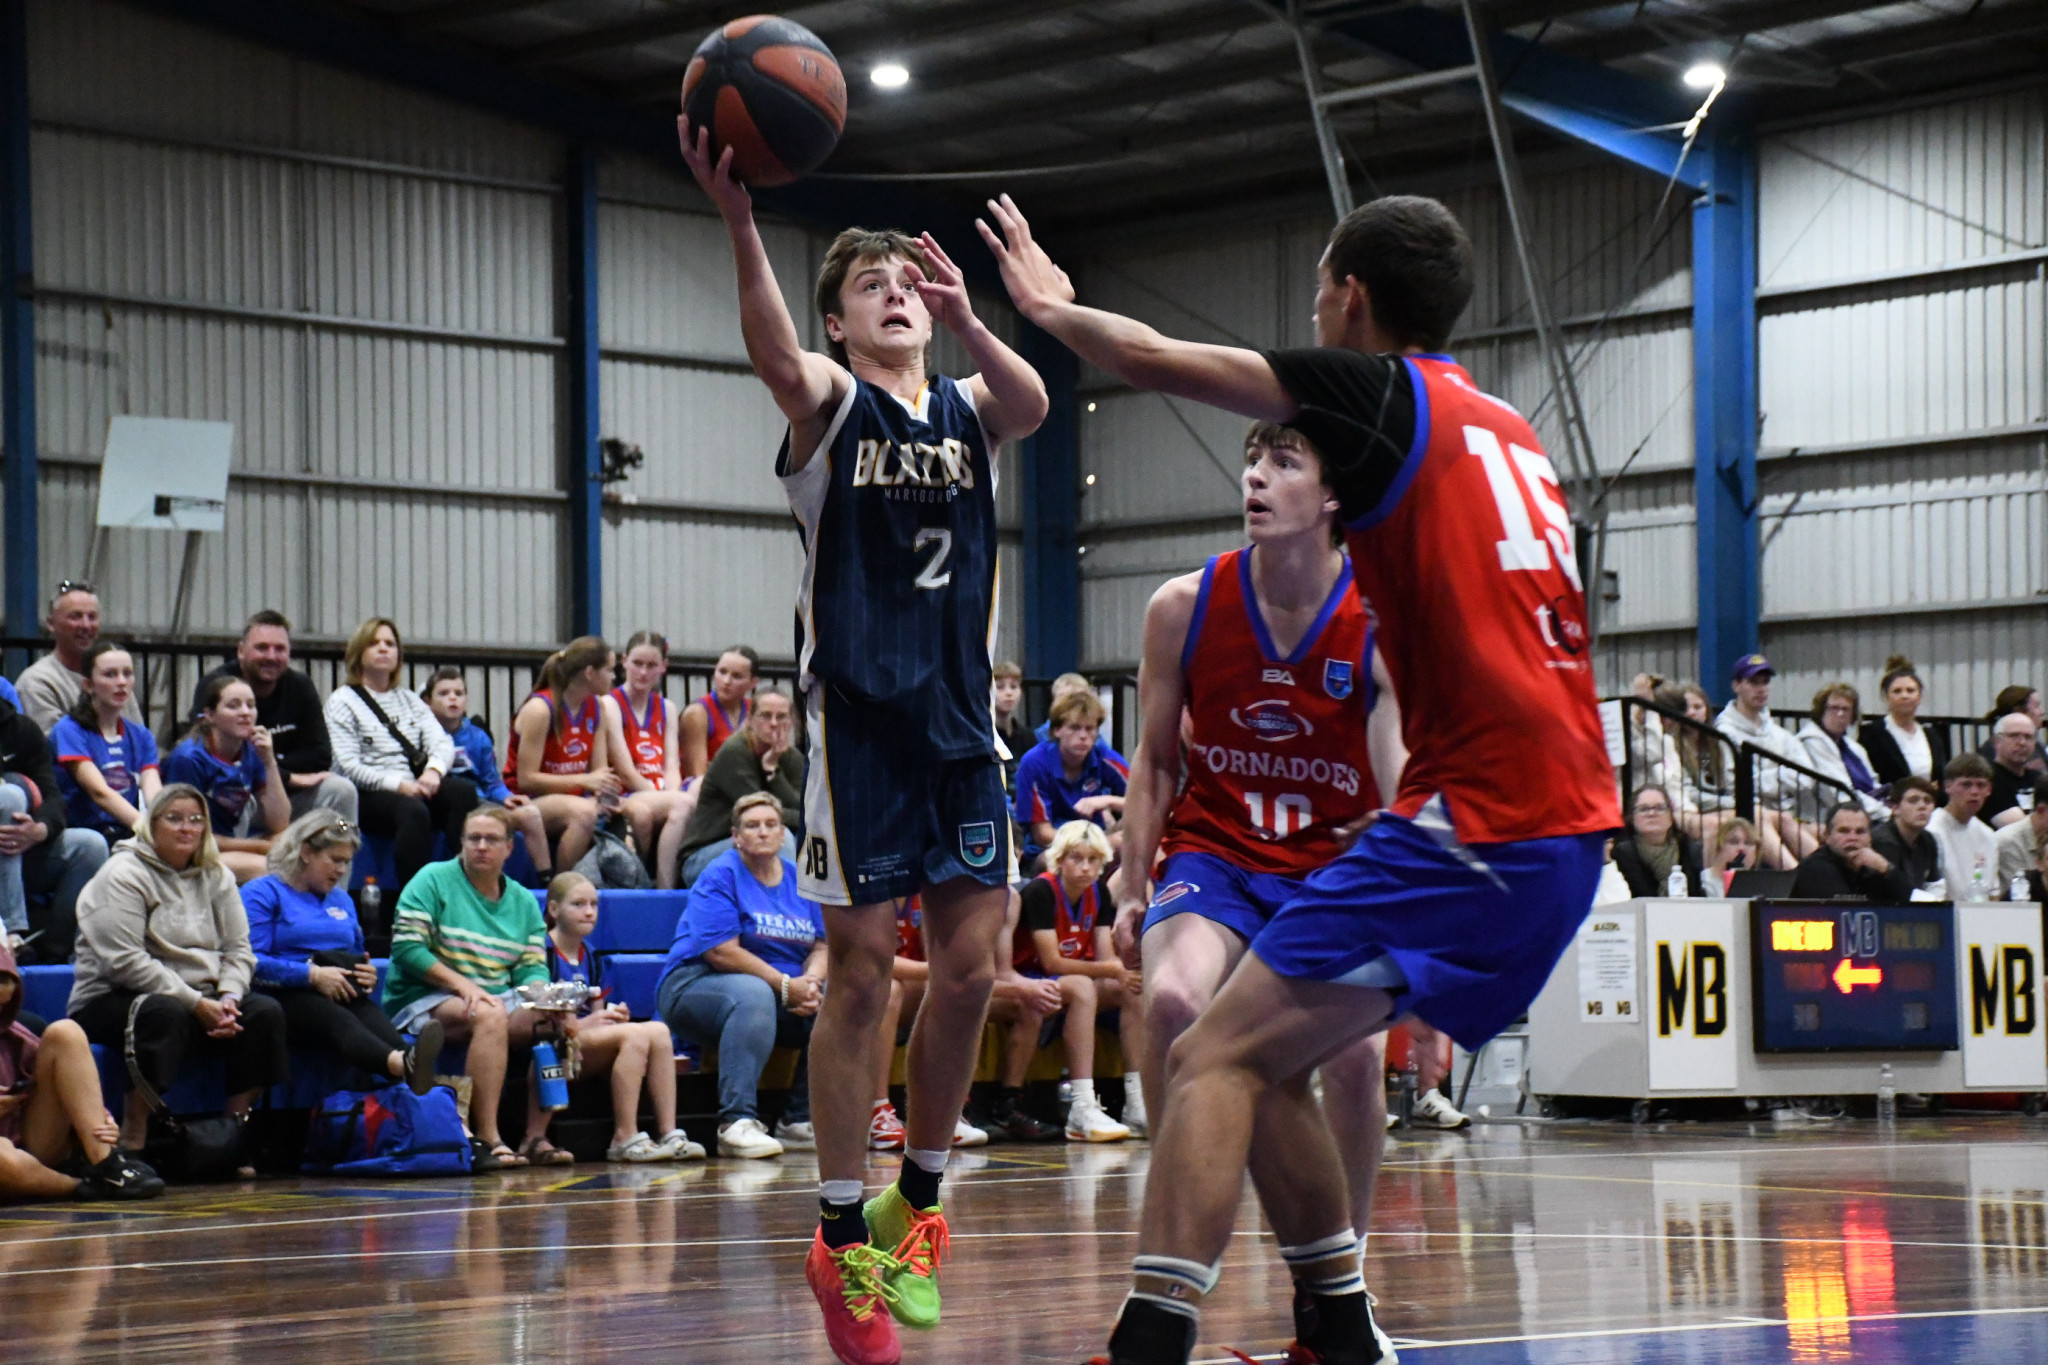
[1691,983]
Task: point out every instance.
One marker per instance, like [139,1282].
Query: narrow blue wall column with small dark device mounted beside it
[585,464]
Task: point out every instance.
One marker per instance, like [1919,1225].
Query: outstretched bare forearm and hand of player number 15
[1228,378]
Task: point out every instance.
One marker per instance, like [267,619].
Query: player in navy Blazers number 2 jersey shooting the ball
[892,478]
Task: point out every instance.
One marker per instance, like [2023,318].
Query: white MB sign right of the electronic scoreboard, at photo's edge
[2000,996]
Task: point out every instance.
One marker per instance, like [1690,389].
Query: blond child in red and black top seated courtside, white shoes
[1064,936]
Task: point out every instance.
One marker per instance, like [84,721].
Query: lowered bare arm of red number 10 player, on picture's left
[1158,764]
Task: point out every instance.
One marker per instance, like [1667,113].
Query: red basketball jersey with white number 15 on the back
[1469,572]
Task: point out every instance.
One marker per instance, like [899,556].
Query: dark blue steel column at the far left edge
[17,328]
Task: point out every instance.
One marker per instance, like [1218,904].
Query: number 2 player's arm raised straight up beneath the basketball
[804,384]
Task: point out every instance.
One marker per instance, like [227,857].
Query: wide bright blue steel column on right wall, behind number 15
[1725,406]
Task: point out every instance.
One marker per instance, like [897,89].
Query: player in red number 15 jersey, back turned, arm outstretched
[1457,904]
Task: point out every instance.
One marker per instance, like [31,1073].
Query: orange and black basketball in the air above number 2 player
[773,93]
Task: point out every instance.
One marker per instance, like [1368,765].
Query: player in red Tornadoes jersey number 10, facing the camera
[1269,732]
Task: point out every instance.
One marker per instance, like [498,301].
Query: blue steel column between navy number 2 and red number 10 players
[1052,515]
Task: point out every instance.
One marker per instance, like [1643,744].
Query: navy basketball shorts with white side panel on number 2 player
[884,816]
